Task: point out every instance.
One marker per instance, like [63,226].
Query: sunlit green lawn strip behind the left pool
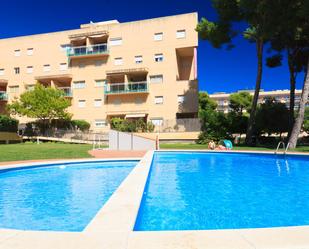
[33,151]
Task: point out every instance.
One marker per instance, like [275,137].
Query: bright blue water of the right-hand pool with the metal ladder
[195,191]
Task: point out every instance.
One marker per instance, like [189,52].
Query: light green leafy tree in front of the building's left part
[42,103]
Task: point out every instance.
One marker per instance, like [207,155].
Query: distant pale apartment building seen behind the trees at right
[282,96]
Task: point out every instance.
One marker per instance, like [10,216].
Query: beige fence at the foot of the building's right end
[179,125]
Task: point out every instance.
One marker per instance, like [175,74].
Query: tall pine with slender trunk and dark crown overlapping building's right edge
[261,21]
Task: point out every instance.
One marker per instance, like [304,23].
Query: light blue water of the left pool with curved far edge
[59,197]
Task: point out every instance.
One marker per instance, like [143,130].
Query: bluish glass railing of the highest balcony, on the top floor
[88,50]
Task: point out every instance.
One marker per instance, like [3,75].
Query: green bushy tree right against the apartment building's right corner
[214,123]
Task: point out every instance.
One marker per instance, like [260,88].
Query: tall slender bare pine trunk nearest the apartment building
[259,47]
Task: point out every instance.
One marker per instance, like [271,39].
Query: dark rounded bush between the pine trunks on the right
[272,117]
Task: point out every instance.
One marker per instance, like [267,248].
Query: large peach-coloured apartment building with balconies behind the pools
[142,69]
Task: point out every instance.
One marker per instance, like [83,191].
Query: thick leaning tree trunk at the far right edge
[300,117]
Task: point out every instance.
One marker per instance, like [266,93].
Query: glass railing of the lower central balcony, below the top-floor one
[124,88]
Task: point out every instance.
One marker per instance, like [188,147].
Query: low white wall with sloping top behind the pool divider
[128,141]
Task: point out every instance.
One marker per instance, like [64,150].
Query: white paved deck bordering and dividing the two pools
[112,227]
